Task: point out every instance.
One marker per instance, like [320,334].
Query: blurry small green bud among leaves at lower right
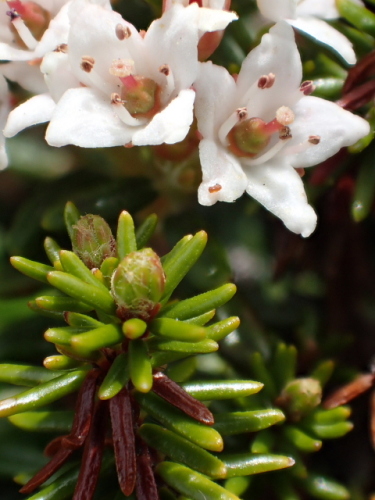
[300,397]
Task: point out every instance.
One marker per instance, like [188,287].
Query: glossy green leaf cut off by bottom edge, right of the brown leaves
[191,483]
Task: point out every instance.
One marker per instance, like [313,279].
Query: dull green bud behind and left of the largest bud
[93,241]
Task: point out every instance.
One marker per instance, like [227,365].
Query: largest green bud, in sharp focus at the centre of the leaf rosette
[138,284]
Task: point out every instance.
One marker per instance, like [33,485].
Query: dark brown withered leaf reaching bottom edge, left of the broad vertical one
[92,455]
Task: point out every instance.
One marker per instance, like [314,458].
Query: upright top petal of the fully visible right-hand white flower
[277,54]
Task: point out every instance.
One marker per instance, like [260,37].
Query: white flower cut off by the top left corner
[28,30]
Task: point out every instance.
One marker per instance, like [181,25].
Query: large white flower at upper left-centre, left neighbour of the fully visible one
[115,86]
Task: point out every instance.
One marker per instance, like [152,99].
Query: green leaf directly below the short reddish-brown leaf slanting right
[174,419]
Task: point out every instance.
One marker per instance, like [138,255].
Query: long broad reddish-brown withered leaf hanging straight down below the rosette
[123,440]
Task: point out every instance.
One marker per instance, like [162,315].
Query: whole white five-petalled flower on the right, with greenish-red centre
[257,130]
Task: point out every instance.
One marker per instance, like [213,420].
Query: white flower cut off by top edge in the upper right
[307,16]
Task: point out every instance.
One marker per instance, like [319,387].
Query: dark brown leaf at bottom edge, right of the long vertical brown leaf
[145,485]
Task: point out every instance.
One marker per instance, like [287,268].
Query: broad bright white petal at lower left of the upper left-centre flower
[83,117]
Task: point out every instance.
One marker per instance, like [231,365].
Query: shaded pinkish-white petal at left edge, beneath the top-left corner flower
[26,75]
